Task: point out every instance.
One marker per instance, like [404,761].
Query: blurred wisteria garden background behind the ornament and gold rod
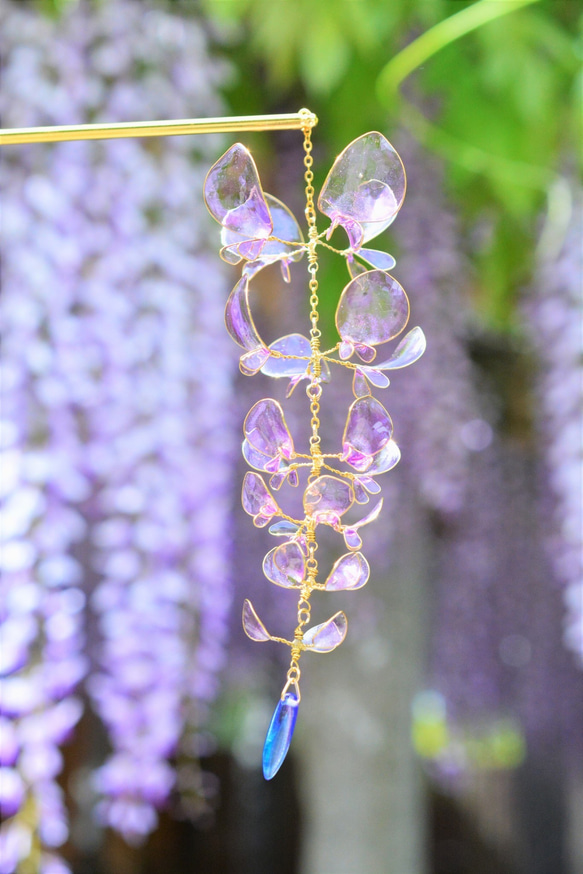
[445,735]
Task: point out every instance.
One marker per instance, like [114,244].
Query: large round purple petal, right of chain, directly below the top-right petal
[373,308]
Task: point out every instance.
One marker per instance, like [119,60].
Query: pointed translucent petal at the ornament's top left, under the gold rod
[233,195]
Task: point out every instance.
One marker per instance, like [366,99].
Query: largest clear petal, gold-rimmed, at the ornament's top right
[366,186]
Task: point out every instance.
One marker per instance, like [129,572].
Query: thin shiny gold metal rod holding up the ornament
[177,127]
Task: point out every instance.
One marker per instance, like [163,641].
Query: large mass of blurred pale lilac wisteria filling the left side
[116,488]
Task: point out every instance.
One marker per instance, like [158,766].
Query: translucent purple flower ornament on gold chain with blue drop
[362,194]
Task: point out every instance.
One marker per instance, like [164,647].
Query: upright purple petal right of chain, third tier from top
[368,430]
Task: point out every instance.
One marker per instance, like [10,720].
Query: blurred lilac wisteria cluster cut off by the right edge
[554,316]
